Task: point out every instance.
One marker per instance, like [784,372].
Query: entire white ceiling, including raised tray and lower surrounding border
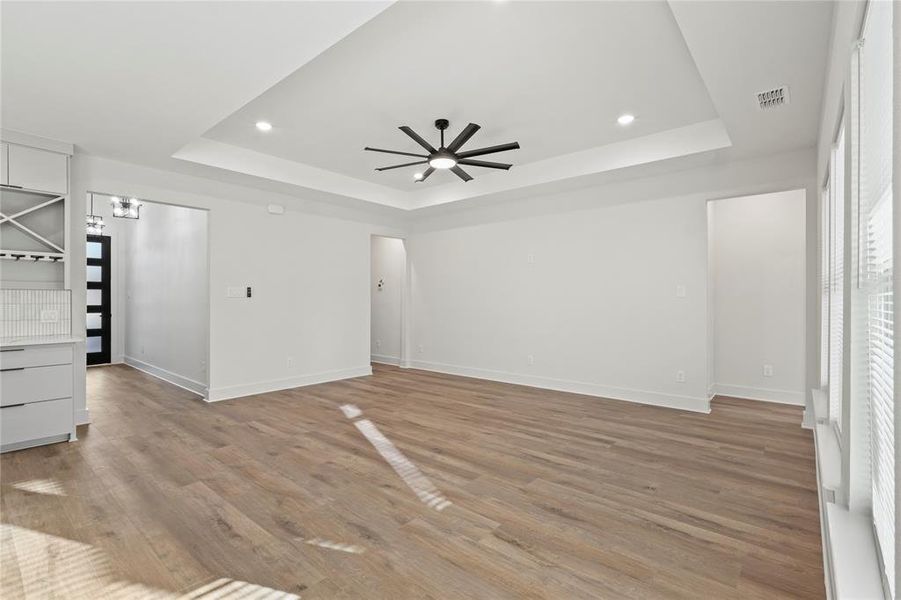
[180,86]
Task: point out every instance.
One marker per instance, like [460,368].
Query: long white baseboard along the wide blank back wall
[690,403]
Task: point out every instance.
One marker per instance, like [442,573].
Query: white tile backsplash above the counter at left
[26,313]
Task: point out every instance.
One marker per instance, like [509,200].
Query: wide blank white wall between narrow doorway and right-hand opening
[582,301]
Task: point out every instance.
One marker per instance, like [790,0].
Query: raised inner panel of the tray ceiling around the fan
[552,76]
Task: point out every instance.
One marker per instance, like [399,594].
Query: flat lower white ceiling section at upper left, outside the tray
[138,80]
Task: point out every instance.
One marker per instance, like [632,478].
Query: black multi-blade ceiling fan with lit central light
[448,157]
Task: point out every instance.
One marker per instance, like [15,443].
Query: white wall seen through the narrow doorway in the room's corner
[388,264]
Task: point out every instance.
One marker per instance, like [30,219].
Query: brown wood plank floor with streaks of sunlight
[542,495]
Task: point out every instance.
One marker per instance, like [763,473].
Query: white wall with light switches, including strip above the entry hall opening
[309,269]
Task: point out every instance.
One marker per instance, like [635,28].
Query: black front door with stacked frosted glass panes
[98,317]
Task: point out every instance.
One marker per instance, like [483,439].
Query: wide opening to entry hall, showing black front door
[147,301]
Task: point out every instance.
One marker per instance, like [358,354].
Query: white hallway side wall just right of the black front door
[167,294]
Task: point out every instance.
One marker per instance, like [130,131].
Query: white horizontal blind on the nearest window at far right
[876,214]
